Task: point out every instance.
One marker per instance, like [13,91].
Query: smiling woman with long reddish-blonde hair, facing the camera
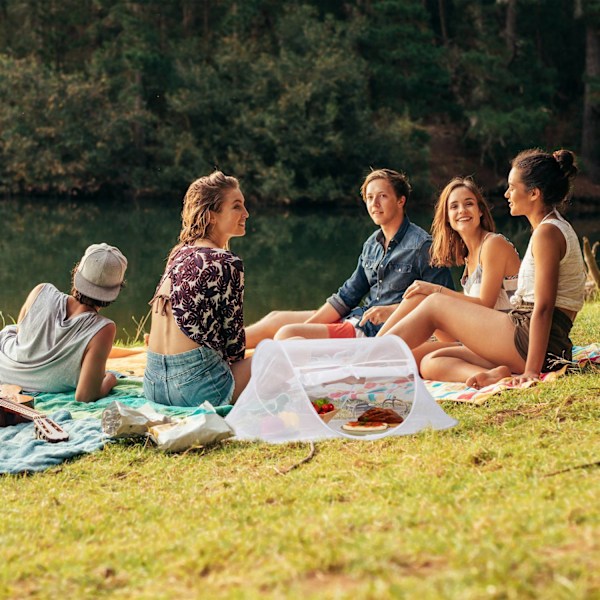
[463,234]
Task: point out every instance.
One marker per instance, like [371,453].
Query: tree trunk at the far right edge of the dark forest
[590,143]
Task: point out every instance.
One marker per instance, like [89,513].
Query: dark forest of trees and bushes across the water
[297,98]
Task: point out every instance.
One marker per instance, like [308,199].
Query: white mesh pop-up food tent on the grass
[352,374]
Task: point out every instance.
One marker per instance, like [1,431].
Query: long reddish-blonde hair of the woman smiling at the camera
[448,248]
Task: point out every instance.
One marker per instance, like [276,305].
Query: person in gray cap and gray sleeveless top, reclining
[60,343]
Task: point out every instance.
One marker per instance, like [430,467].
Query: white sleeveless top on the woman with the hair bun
[571,272]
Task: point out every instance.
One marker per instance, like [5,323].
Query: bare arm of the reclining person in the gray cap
[94,382]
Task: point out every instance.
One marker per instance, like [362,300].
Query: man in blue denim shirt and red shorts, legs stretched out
[391,259]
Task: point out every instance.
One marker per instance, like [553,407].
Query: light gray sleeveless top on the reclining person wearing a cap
[43,353]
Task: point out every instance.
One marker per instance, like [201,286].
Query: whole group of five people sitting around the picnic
[512,318]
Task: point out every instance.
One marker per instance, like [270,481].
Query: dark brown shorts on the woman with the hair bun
[559,345]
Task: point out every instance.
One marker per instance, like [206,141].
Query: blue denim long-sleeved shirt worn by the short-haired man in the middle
[381,277]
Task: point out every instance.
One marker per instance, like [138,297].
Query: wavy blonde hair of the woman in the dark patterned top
[203,195]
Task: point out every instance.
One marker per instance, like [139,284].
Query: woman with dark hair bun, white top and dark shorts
[534,336]
